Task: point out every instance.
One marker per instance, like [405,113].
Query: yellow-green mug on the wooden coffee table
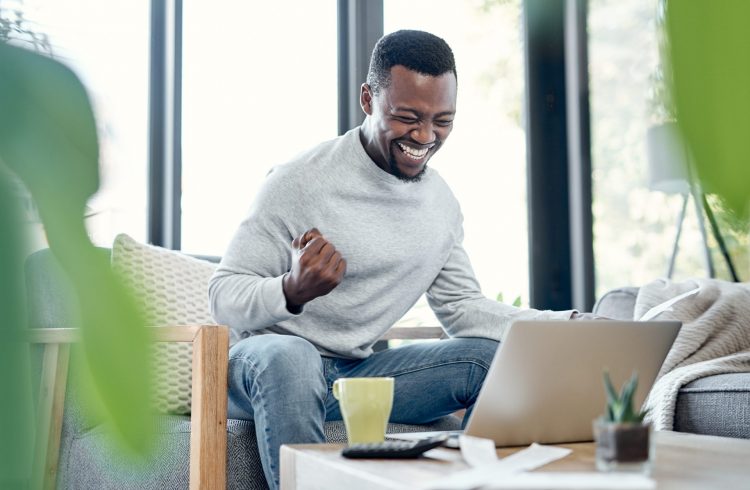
[365,406]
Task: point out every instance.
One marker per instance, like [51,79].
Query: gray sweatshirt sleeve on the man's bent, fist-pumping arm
[246,292]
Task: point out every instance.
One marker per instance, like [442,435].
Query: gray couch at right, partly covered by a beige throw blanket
[715,405]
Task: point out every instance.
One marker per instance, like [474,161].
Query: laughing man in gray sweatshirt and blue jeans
[338,245]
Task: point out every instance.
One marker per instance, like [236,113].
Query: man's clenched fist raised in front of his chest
[317,268]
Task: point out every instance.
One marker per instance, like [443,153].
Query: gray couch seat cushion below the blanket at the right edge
[715,405]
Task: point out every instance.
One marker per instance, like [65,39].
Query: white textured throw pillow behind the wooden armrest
[174,290]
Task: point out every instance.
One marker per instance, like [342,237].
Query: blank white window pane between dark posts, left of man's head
[259,86]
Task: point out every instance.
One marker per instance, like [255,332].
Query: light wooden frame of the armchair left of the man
[208,418]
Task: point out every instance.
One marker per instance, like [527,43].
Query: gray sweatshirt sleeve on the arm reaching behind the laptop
[457,300]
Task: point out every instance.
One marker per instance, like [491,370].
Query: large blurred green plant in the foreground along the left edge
[48,139]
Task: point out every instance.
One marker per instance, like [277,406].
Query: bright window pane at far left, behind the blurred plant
[106,44]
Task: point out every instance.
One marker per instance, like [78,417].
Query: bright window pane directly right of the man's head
[484,160]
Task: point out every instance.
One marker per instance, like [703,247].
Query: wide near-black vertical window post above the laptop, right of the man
[547,156]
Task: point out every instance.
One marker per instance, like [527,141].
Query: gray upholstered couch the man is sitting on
[87,461]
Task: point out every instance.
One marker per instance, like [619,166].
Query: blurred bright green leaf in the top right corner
[707,46]
